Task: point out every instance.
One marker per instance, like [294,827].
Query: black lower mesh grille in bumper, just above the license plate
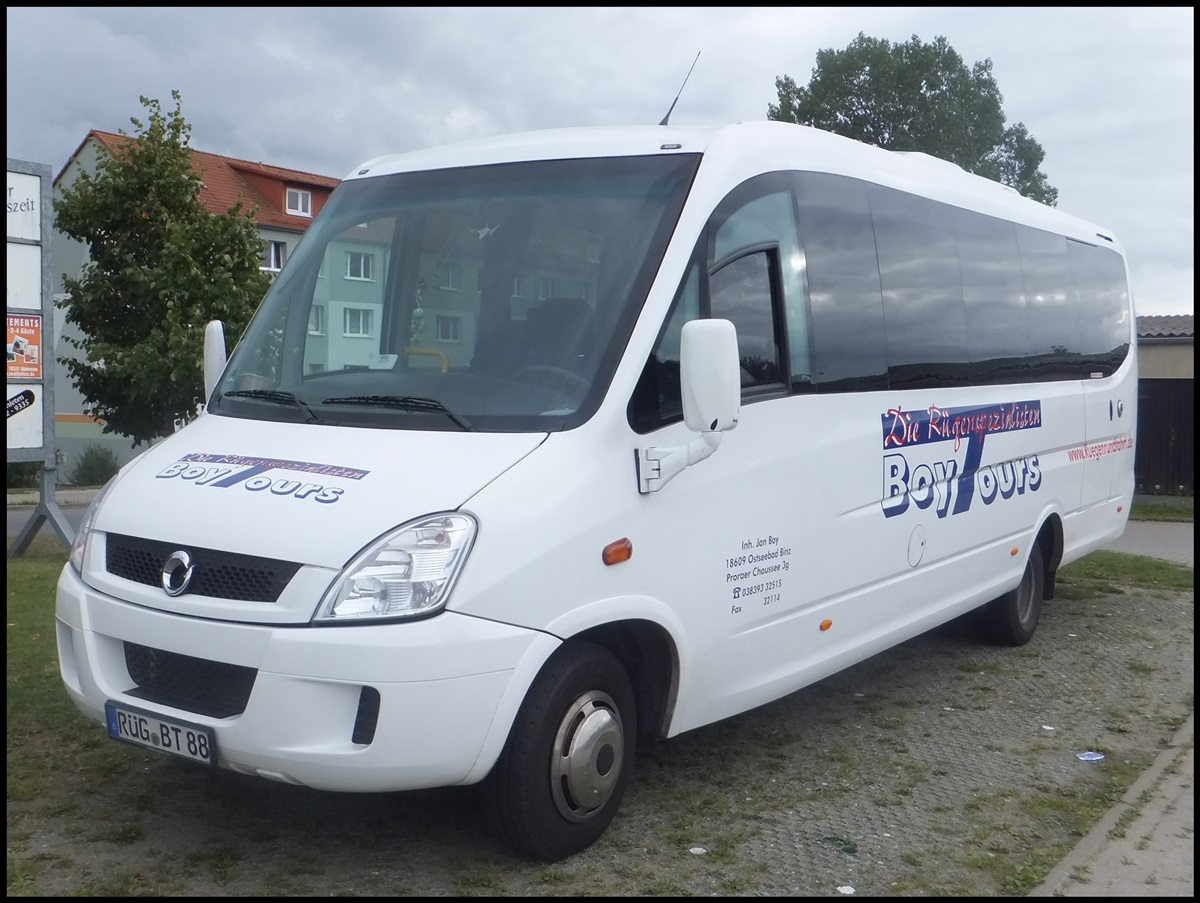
[194,685]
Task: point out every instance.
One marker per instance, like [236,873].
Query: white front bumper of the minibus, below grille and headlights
[446,686]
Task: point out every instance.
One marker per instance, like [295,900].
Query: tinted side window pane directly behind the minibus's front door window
[849,349]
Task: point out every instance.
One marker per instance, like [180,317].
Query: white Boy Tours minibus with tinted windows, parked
[545,445]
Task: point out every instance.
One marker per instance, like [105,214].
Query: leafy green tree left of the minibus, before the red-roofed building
[161,267]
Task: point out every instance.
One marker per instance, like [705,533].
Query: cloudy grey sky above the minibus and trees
[1108,93]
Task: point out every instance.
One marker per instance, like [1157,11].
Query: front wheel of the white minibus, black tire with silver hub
[568,760]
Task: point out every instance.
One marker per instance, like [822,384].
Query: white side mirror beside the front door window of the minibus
[711,372]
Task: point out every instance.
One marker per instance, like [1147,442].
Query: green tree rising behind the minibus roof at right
[917,97]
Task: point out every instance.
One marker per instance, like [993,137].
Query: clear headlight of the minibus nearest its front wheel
[407,573]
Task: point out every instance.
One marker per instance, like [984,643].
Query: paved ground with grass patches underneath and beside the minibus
[941,768]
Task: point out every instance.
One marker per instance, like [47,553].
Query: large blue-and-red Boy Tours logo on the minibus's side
[915,473]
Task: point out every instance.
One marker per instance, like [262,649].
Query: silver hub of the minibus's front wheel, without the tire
[589,752]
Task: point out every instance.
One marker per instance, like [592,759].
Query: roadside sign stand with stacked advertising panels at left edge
[31,344]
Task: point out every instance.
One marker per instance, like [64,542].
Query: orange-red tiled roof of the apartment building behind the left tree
[227,181]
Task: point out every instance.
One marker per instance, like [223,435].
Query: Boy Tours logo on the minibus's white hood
[253,475]
